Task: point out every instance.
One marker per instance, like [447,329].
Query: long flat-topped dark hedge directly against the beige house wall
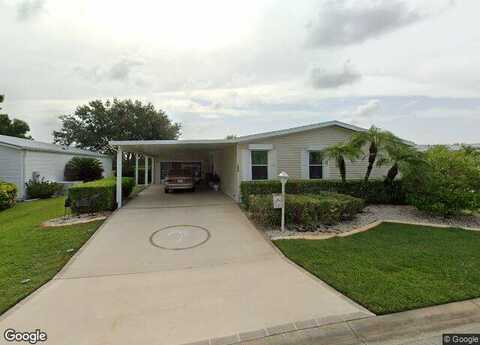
[373,192]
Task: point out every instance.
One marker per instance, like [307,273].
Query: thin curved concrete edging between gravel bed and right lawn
[365,228]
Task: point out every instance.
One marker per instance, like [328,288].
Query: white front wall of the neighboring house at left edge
[11,167]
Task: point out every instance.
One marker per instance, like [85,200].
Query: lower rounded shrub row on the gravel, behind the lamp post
[306,210]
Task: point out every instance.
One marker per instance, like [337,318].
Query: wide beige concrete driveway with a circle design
[124,288]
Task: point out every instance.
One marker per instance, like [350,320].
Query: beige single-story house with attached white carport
[253,157]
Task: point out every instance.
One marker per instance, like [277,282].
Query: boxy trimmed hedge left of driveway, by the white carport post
[104,190]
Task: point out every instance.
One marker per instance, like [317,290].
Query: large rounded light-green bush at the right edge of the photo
[447,185]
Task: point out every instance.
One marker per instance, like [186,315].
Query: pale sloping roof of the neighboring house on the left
[34,145]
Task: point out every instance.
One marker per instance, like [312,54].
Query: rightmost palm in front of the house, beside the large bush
[400,156]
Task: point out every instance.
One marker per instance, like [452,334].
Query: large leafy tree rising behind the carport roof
[92,126]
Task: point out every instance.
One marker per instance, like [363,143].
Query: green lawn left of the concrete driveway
[31,252]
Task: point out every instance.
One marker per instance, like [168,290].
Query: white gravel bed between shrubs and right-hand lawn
[375,213]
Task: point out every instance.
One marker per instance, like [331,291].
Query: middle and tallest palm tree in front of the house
[377,139]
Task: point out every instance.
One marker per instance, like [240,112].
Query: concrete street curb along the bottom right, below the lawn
[357,329]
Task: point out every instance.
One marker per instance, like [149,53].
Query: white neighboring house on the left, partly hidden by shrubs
[21,158]
